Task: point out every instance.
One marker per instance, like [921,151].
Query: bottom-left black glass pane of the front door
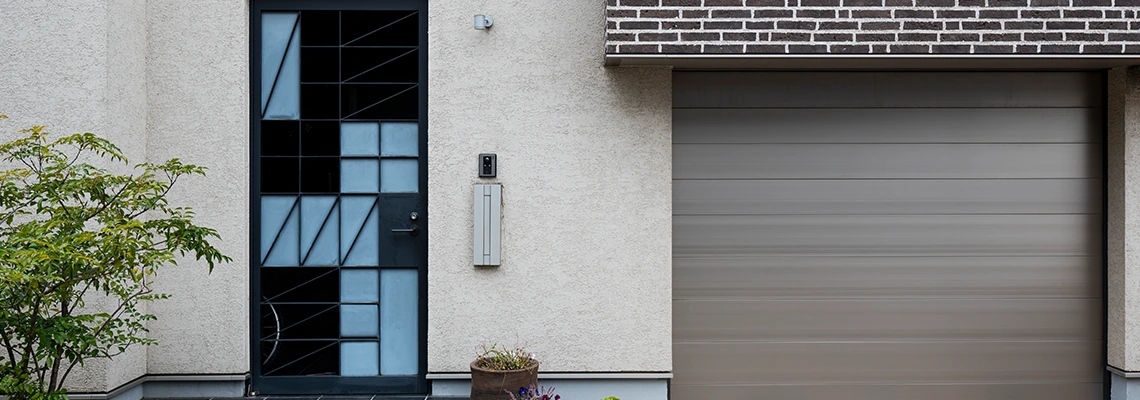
[312,358]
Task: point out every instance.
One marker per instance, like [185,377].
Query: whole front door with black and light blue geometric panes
[339,197]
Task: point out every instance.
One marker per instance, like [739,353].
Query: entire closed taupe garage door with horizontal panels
[882,236]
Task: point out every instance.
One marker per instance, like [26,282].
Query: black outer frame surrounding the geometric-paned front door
[331,385]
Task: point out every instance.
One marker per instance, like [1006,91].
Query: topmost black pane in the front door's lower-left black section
[300,284]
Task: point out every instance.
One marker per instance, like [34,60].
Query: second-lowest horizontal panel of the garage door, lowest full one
[837,363]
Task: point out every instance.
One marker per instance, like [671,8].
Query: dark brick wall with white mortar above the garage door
[873,27]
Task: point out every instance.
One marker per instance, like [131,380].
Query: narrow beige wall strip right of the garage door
[1123,219]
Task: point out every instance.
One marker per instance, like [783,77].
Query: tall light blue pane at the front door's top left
[283,101]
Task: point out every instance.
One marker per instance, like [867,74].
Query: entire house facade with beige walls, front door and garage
[688,199]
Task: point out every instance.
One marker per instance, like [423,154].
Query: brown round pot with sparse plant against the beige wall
[498,373]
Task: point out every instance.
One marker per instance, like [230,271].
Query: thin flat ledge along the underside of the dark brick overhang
[876,62]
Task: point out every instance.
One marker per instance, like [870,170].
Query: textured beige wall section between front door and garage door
[585,164]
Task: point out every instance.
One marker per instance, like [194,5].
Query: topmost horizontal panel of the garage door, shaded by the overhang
[824,91]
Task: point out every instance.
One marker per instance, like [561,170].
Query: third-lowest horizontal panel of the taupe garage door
[886,320]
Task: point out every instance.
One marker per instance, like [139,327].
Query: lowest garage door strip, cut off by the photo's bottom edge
[1036,391]
